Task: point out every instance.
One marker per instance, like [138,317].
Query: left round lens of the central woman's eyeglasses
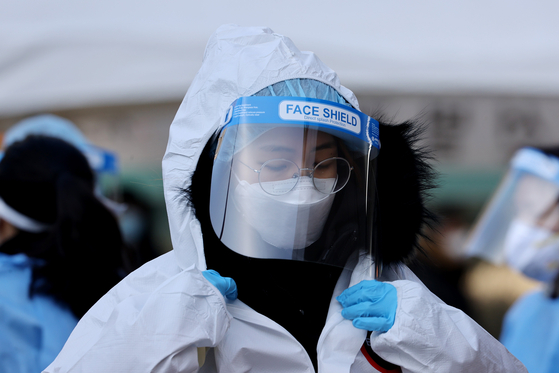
[278,176]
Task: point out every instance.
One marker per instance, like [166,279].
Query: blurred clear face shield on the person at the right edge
[520,226]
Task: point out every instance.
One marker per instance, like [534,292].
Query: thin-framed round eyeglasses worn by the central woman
[280,176]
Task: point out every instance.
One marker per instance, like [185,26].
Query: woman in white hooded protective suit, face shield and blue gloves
[270,179]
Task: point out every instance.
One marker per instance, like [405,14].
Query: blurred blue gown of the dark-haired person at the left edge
[32,330]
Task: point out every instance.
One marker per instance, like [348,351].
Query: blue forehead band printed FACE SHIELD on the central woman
[328,116]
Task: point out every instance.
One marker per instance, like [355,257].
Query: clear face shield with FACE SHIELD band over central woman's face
[293,178]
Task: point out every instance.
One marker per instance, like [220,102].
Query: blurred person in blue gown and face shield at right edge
[520,228]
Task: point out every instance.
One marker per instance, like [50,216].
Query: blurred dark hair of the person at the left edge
[50,181]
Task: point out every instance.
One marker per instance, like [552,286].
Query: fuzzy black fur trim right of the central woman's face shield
[405,181]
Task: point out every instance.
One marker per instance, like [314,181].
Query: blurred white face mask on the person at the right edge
[532,250]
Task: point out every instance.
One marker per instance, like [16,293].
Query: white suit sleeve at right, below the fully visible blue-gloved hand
[430,336]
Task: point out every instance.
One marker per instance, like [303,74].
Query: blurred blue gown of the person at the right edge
[531,332]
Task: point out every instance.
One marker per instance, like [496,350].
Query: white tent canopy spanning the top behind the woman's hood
[62,54]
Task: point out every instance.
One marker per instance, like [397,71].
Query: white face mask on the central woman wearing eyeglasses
[293,220]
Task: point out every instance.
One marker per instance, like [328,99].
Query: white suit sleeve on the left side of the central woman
[130,330]
